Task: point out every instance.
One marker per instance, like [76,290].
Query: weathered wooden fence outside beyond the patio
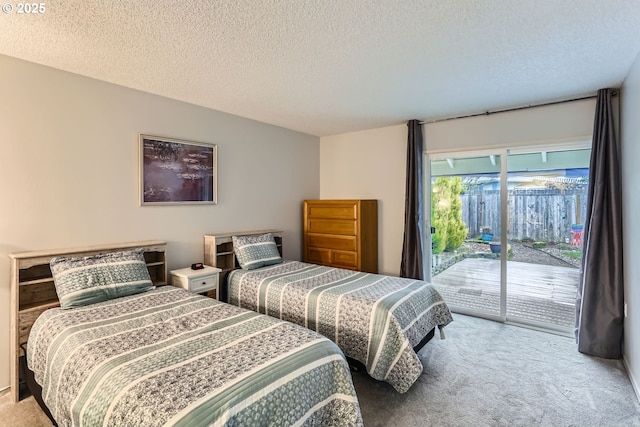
[545,215]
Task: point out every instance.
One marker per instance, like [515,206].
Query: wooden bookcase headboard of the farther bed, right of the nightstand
[218,252]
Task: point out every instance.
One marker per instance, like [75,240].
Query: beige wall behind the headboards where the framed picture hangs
[69,172]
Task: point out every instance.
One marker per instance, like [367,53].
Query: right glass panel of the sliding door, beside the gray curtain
[547,197]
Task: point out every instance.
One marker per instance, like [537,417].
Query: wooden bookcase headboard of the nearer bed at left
[33,290]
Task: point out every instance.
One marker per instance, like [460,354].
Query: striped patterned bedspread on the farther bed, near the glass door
[374,319]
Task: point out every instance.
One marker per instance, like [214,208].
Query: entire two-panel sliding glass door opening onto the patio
[506,238]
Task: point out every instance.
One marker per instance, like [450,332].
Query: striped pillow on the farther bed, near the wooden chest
[256,251]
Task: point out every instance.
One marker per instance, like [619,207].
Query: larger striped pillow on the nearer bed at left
[92,279]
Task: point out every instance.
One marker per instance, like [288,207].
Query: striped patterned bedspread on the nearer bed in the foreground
[169,357]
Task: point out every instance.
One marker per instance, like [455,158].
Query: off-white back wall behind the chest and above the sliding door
[372,163]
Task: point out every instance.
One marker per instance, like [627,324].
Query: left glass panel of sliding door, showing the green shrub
[466,221]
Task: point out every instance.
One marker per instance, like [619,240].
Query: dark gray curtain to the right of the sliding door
[599,301]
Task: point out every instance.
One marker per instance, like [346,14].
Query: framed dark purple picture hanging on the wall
[174,171]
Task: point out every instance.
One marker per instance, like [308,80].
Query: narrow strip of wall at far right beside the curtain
[630,149]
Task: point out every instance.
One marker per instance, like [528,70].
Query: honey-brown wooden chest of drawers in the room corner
[341,233]
